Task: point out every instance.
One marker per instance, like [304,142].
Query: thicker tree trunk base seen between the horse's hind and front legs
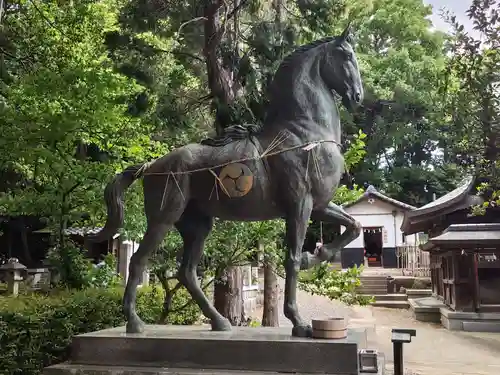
[228,295]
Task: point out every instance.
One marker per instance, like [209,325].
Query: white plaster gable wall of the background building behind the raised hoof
[379,214]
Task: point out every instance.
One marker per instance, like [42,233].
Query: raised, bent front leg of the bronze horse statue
[336,215]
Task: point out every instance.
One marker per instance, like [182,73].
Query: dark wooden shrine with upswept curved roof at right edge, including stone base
[464,258]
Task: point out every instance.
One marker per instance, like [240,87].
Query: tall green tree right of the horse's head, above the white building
[402,62]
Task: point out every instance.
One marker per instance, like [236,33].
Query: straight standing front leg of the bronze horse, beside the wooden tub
[296,227]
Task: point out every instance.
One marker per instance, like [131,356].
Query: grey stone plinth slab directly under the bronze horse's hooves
[263,349]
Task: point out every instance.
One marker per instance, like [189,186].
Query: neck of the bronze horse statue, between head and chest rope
[302,104]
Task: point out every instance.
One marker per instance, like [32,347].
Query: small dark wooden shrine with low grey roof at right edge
[465,267]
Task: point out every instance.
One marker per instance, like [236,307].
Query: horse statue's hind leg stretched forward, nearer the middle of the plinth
[194,228]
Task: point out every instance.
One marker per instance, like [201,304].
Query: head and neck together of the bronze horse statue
[306,78]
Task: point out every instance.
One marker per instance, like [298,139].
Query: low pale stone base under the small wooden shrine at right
[470,321]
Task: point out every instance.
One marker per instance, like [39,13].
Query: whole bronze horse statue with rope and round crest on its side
[289,168]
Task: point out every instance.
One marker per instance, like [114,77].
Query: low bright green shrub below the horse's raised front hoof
[335,284]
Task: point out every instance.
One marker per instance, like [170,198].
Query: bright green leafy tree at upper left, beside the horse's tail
[67,111]
